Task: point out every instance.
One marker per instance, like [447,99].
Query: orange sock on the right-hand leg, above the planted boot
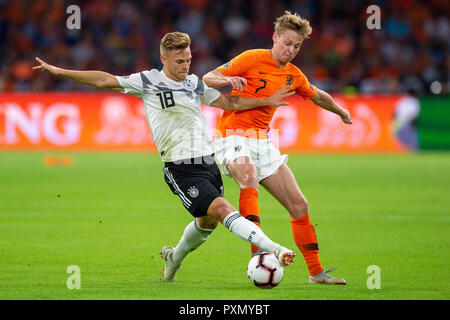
[306,240]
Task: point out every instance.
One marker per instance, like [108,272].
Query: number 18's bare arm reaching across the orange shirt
[244,103]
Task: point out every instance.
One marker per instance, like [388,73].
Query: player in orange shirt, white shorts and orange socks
[243,148]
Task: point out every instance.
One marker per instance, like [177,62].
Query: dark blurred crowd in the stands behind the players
[409,52]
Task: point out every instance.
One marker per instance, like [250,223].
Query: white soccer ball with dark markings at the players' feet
[264,270]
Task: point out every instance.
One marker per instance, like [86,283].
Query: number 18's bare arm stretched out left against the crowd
[97,79]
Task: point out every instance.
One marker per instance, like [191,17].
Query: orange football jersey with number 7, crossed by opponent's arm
[264,78]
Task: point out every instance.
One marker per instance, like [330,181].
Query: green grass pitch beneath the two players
[114,212]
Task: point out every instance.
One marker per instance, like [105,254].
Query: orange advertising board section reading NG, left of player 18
[83,121]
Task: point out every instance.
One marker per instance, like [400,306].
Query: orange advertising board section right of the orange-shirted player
[303,126]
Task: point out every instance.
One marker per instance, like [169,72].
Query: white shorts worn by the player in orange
[266,157]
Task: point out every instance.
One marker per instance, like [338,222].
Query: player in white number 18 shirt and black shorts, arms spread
[172,100]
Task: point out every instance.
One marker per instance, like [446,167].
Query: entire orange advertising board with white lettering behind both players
[92,121]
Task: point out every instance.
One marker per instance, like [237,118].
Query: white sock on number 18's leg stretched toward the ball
[248,231]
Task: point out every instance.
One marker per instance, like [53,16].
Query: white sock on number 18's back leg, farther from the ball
[192,238]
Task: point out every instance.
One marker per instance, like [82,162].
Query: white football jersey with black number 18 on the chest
[173,112]
